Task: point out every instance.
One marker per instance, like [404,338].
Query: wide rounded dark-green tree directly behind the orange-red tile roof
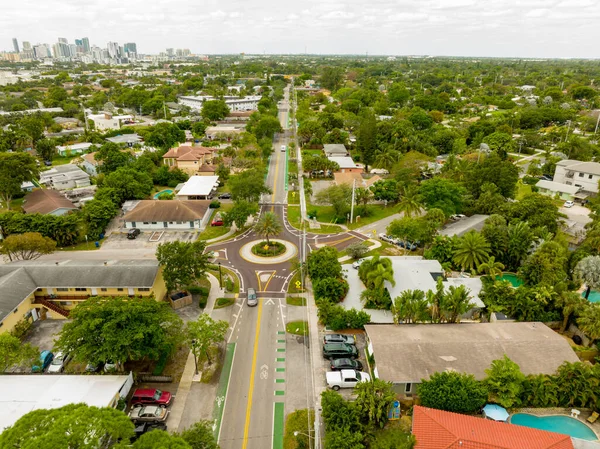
[453,392]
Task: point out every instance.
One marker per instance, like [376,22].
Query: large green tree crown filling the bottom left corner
[72,426]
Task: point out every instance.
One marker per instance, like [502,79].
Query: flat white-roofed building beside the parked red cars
[21,394]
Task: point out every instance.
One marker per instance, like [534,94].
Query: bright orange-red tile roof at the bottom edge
[437,429]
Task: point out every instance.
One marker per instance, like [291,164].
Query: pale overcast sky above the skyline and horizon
[526,28]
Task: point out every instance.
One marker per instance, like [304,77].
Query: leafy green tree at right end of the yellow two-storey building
[183,263]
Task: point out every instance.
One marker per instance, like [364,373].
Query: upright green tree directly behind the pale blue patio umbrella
[504,382]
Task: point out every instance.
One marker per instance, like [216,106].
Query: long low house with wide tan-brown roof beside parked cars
[408,353]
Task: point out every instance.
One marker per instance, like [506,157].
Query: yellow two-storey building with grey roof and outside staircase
[34,289]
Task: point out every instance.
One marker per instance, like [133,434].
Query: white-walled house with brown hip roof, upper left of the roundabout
[168,215]
